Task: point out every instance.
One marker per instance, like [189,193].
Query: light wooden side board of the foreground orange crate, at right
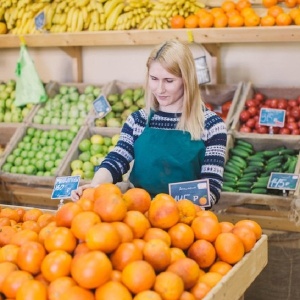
[234,284]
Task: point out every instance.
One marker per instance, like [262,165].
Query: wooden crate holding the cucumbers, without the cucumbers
[276,212]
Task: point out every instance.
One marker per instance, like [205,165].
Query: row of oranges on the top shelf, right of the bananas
[241,13]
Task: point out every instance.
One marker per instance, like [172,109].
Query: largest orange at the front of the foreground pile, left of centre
[92,269]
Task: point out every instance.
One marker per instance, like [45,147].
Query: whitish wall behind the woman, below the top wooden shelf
[264,64]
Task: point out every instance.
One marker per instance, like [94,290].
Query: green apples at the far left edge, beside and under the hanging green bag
[9,113]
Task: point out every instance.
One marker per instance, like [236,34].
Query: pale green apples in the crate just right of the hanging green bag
[68,107]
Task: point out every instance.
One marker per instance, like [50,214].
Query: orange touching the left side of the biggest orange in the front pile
[56,264]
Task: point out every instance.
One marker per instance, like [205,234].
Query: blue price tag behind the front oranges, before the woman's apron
[197,191]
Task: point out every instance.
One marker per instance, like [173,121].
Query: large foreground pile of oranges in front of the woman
[110,245]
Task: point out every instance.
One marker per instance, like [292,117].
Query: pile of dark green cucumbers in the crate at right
[248,171]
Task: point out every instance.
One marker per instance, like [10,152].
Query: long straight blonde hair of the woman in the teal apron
[176,57]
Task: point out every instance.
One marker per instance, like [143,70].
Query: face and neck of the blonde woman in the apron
[166,88]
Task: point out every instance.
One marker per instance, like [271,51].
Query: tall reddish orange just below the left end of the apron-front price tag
[163,212]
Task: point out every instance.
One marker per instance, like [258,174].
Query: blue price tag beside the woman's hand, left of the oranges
[63,186]
